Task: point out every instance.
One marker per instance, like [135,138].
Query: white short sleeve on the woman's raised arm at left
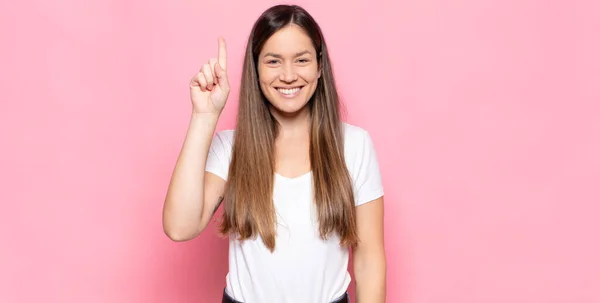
[219,154]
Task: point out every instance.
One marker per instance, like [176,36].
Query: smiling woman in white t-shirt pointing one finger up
[300,187]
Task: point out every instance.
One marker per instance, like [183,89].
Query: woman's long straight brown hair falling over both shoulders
[248,206]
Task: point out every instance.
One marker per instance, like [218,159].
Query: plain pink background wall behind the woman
[485,115]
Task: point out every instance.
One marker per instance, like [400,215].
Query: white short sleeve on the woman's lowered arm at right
[368,184]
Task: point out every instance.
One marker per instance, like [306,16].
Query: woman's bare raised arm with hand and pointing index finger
[193,194]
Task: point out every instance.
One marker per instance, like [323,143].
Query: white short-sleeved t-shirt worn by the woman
[303,268]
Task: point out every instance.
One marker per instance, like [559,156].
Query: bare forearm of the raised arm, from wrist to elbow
[184,201]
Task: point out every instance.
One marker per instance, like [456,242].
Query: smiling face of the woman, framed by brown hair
[288,71]
